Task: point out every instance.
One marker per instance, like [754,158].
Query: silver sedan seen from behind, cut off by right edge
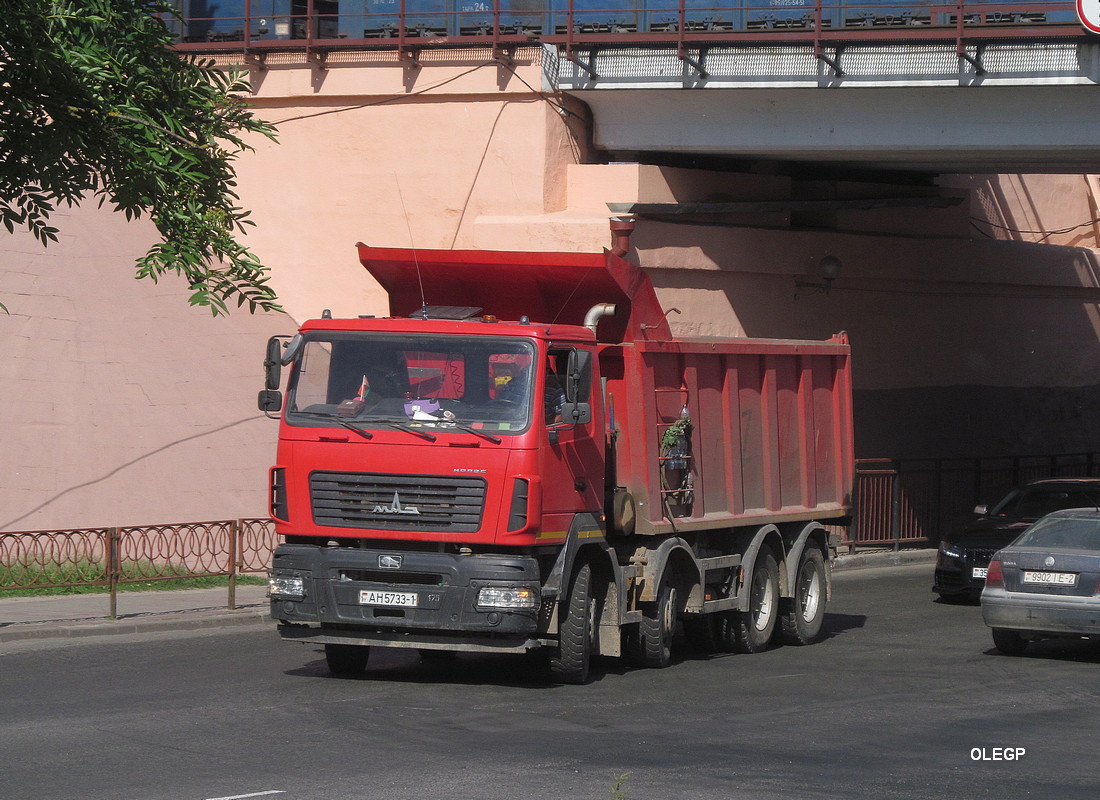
[1047,584]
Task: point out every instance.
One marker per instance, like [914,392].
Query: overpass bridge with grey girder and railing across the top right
[882,85]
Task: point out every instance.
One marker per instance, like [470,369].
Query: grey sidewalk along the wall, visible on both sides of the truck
[76,616]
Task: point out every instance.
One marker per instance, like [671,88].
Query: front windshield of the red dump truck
[430,383]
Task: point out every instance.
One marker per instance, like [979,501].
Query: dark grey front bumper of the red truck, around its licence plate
[335,607]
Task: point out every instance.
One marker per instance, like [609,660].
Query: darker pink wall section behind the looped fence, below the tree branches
[123,404]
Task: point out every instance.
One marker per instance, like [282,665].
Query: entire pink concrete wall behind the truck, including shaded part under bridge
[125,407]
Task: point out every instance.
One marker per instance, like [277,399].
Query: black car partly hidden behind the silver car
[964,556]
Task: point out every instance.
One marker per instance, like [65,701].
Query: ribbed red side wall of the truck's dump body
[772,437]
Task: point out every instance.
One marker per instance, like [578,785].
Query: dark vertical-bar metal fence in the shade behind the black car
[916,502]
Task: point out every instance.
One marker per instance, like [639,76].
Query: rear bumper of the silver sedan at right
[1043,615]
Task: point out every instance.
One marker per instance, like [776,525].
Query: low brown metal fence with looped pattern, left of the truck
[116,556]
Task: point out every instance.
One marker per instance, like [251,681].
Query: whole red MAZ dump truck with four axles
[541,466]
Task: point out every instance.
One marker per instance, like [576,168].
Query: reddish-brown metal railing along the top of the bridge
[325,26]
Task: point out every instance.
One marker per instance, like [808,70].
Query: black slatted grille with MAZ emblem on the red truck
[359,500]
